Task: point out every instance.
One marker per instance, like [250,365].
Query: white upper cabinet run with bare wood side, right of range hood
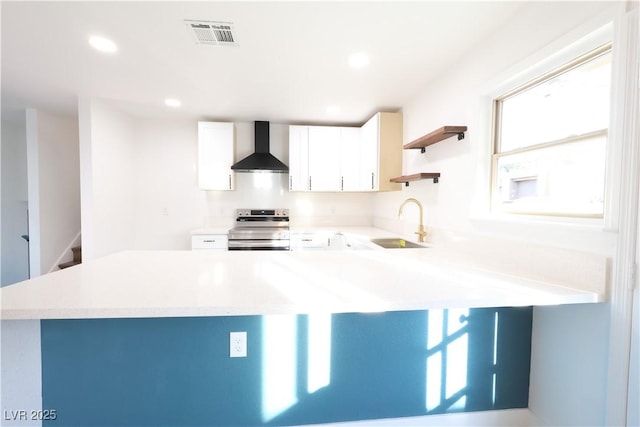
[330,158]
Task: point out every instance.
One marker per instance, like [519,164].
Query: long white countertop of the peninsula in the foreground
[216,283]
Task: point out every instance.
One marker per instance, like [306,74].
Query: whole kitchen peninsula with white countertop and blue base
[331,335]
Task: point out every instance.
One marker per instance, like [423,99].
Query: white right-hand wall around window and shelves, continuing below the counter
[569,354]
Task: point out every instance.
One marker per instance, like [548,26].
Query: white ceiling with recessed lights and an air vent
[290,65]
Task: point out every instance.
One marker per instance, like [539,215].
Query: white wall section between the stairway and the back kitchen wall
[107,168]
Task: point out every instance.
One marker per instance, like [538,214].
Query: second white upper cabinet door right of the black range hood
[324,158]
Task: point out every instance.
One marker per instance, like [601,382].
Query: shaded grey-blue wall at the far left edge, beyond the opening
[14,202]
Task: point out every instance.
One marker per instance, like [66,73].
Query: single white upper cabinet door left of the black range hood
[215,156]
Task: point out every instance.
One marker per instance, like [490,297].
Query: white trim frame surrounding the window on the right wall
[543,62]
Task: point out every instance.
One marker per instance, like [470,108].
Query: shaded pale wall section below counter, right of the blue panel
[569,364]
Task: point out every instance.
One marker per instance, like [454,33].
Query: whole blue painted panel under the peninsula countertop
[177,371]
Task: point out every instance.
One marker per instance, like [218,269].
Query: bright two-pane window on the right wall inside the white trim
[550,140]
